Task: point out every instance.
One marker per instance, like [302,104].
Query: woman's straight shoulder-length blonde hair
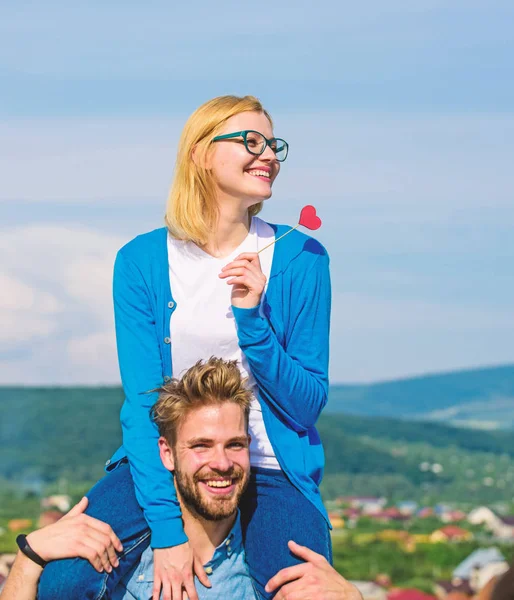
[192,211]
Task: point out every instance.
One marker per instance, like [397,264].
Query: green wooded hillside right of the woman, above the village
[428,462]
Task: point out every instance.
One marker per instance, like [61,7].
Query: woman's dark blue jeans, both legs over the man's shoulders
[273,511]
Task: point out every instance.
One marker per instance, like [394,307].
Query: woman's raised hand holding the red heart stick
[247,279]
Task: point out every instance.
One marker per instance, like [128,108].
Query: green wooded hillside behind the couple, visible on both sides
[48,434]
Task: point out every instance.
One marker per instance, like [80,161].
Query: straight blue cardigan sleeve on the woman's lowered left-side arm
[141,370]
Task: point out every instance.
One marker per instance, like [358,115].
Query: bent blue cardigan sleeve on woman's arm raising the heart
[294,378]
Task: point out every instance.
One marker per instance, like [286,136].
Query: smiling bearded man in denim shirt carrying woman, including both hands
[204,442]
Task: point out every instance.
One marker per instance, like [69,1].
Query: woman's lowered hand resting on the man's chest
[173,571]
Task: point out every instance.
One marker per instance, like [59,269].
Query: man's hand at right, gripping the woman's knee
[315,579]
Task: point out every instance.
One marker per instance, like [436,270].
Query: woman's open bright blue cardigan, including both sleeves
[286,342]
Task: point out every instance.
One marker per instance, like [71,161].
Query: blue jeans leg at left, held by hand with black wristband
[113,501]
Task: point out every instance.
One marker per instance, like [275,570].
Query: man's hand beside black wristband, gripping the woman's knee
[78,535]
